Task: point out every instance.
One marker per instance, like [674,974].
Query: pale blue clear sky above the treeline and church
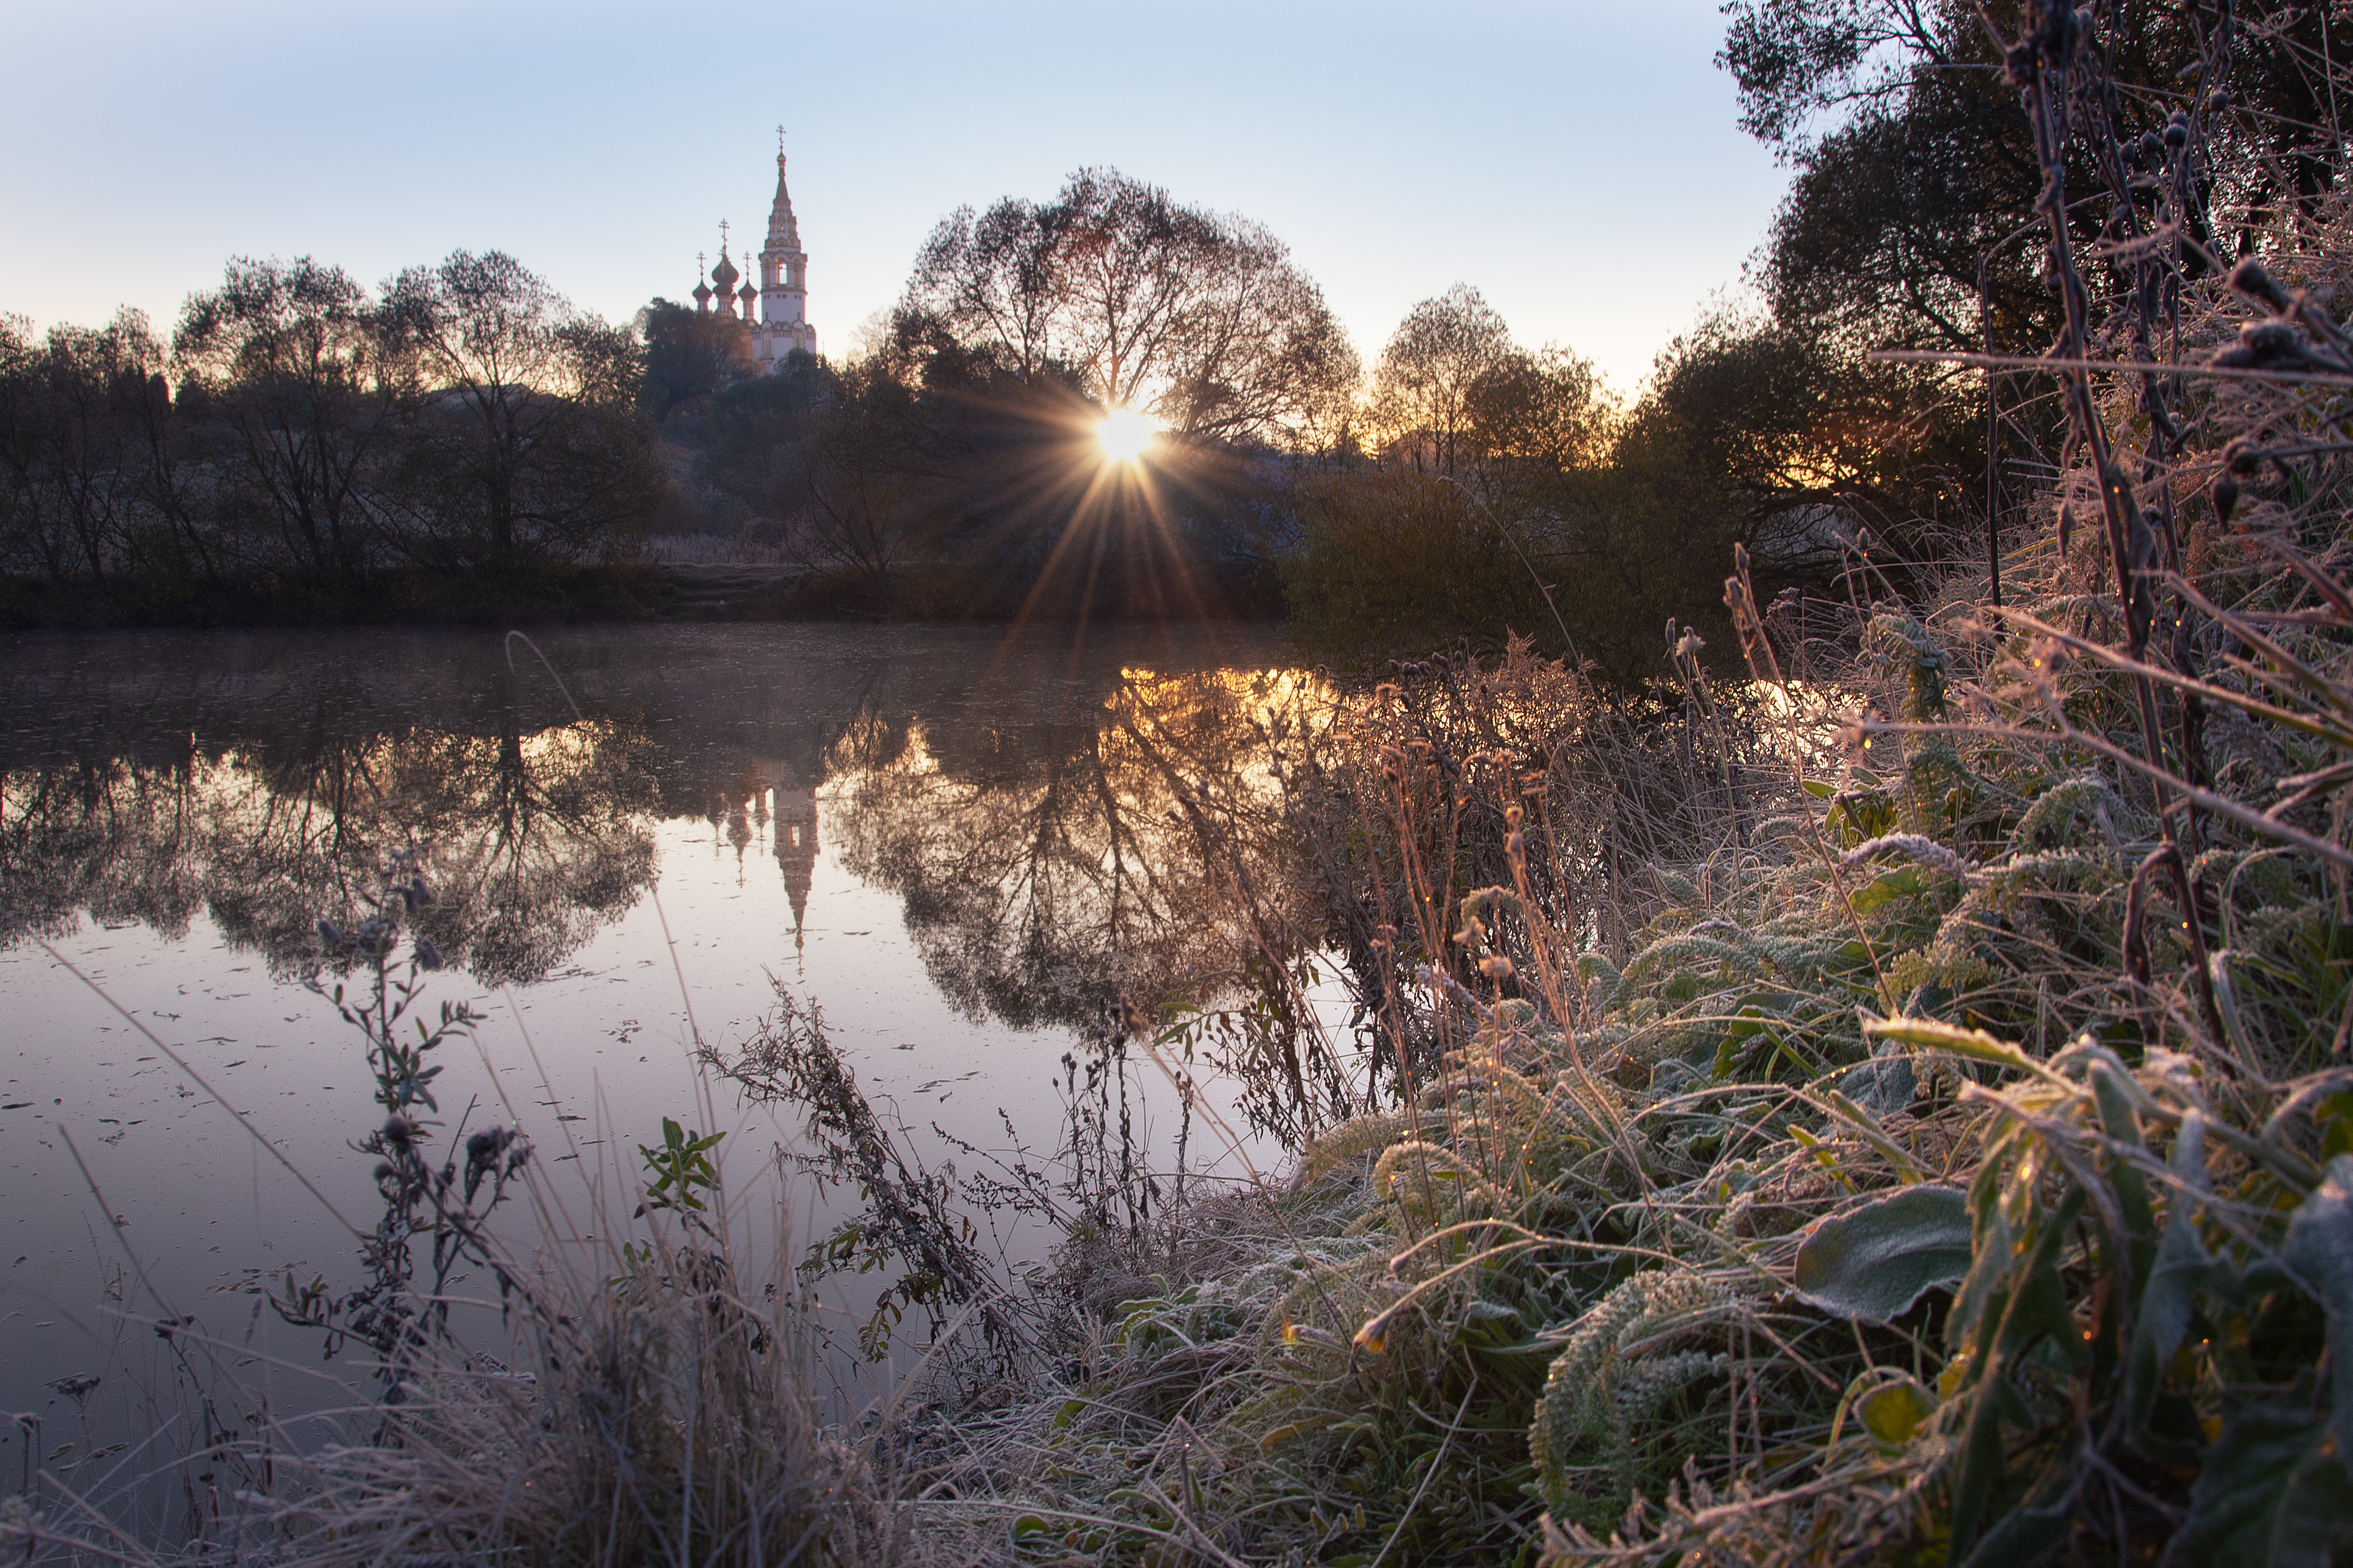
[1578,163]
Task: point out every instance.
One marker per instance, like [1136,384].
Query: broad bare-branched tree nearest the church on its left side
[526,441]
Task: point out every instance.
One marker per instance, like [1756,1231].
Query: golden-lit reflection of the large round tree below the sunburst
[1058,866]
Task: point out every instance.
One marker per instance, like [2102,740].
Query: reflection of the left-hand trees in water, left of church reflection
[533,840]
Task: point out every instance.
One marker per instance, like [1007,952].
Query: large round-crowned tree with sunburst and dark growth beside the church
[949,467]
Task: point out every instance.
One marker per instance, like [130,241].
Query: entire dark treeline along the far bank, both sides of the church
[309,448]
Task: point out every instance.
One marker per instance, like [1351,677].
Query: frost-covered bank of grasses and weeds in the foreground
[1787,1134]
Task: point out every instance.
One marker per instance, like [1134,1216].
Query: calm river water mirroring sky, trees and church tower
[966,847]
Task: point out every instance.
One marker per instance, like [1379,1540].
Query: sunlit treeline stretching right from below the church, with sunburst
[1467,485]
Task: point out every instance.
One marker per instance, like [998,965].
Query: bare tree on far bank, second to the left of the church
[291,361]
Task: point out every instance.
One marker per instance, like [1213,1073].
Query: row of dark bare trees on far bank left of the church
[307,436]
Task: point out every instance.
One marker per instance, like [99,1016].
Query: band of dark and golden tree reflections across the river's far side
[1062,833]
